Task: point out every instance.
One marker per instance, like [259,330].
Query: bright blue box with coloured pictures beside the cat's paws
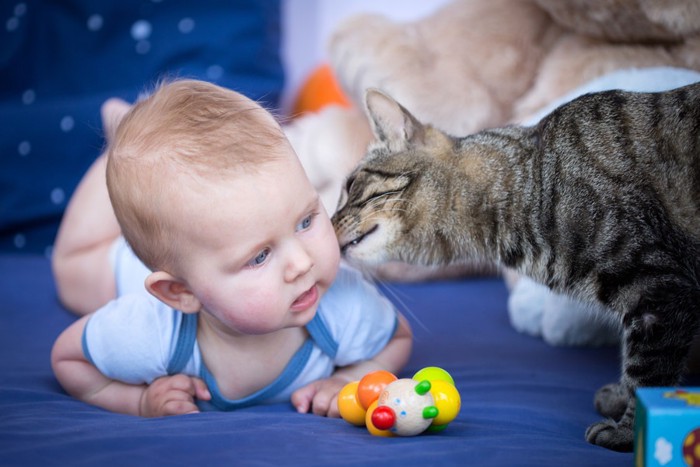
[667,427]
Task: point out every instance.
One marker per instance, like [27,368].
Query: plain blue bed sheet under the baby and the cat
[524,403]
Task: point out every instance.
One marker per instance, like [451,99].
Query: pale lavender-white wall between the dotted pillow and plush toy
[307,25]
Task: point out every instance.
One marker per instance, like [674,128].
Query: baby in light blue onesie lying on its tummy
[228,282]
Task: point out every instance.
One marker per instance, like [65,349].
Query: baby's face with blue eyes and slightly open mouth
[263,250]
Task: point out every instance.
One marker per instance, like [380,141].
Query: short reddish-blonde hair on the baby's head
[185,131]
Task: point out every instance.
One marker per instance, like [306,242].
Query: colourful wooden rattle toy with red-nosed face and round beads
[389,406]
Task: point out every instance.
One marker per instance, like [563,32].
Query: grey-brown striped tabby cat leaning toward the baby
[600,200]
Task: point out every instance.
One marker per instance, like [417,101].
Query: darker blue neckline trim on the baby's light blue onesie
[320,335]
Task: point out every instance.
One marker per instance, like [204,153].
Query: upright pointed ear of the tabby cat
[391,123]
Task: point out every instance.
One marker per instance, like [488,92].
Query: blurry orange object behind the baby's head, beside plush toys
[320,89]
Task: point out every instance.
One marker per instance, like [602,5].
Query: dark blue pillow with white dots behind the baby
[59,61]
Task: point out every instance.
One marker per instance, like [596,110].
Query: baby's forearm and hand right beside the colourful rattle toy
[321,397]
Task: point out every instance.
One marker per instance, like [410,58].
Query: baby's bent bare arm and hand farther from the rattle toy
[169,395]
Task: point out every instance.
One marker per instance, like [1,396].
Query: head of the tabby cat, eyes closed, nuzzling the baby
[389,201]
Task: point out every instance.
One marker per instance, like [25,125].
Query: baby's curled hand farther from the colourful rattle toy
[173,395]
